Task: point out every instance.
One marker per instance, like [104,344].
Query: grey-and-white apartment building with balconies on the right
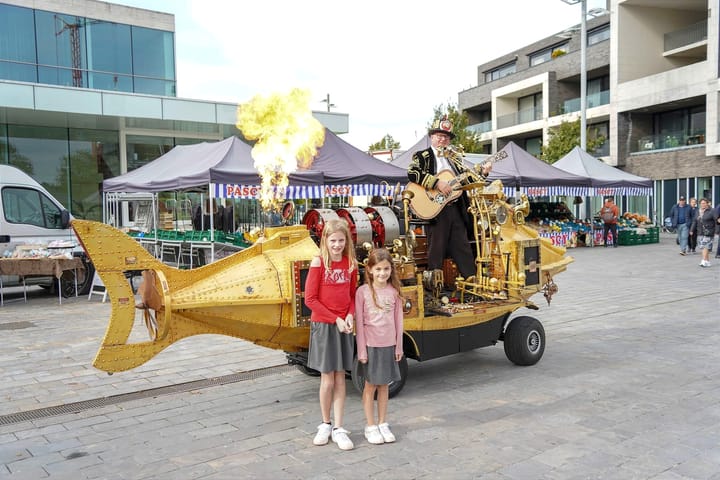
[652,92]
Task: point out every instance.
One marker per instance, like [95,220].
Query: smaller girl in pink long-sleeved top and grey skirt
[379,329]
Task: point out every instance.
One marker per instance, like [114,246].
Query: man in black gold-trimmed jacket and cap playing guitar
[447,232]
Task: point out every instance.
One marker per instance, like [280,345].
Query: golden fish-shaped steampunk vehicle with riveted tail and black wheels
[257,293]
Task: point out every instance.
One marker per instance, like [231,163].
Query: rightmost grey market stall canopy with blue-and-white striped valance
[605,179]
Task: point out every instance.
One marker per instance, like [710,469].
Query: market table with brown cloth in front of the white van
[44,266]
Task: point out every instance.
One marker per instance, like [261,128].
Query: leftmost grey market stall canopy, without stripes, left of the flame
[187,167]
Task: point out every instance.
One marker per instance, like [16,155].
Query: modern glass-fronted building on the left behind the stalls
[88,91]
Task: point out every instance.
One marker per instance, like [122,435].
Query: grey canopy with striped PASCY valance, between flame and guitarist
[345,170]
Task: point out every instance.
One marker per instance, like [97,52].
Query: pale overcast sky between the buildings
[385,63]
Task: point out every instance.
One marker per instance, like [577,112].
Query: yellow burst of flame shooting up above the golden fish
[287,136]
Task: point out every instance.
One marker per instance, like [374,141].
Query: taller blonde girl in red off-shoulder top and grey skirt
[330,295]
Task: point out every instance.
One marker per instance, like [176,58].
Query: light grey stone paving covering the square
[629,388]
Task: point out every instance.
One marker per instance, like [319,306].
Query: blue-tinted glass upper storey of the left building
[56,49]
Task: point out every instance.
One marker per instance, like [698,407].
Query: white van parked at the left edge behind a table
[30,215]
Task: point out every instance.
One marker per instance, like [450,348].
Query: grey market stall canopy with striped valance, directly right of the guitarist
[518,170]
